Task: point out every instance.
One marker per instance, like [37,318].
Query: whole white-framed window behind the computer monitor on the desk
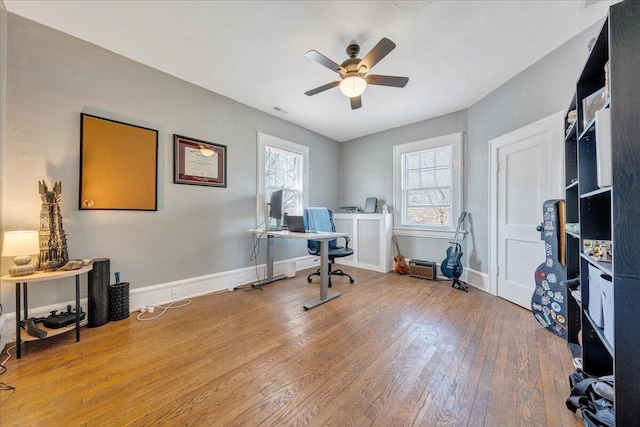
[282,165]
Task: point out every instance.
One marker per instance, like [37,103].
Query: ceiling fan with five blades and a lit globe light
[354,71]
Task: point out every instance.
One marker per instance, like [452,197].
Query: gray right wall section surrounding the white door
[539,91]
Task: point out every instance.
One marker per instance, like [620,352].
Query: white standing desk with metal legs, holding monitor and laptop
[320,236]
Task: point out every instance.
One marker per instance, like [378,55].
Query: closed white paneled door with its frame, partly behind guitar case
[529,167]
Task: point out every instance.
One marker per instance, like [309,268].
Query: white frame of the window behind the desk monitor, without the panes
[264,141]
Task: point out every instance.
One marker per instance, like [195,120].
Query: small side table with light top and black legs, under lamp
[42,277]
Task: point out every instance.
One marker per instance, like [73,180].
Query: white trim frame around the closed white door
[555,123]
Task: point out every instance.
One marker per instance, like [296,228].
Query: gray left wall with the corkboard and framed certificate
[52,78]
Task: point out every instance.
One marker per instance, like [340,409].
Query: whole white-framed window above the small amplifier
[428,186]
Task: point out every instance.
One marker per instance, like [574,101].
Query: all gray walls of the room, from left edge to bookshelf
[51,78]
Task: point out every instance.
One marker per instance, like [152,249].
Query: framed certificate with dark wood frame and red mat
[198,162]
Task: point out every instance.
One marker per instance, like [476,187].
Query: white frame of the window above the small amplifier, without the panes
[455,140]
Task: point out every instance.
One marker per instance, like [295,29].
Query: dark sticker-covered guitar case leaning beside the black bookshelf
[548,303]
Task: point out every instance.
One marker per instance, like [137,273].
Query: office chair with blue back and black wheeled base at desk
[321,219]
